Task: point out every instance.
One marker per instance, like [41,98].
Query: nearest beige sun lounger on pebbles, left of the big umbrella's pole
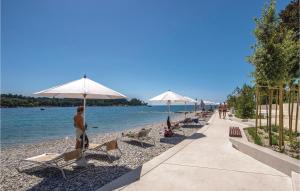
[54,160]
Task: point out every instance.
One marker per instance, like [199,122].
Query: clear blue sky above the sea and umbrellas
[141,48]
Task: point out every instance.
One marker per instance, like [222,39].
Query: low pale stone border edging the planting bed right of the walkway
[276,160]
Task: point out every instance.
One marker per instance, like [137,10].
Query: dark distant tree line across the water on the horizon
[14,100]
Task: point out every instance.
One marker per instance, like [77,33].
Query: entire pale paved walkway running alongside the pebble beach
[209,162]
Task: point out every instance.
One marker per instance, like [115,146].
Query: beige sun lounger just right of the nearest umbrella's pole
[106,147]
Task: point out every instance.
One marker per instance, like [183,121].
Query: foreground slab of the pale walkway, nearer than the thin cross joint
[177,177]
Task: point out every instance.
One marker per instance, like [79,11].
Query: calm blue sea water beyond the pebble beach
[29,125]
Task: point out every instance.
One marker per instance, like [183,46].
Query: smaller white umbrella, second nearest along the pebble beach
[169,97]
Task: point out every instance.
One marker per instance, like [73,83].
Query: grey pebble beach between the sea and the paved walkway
[100,169]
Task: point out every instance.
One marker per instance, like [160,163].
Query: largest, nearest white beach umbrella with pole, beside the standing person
[83,88]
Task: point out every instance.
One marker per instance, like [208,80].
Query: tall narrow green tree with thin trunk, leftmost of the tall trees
[267,57]
